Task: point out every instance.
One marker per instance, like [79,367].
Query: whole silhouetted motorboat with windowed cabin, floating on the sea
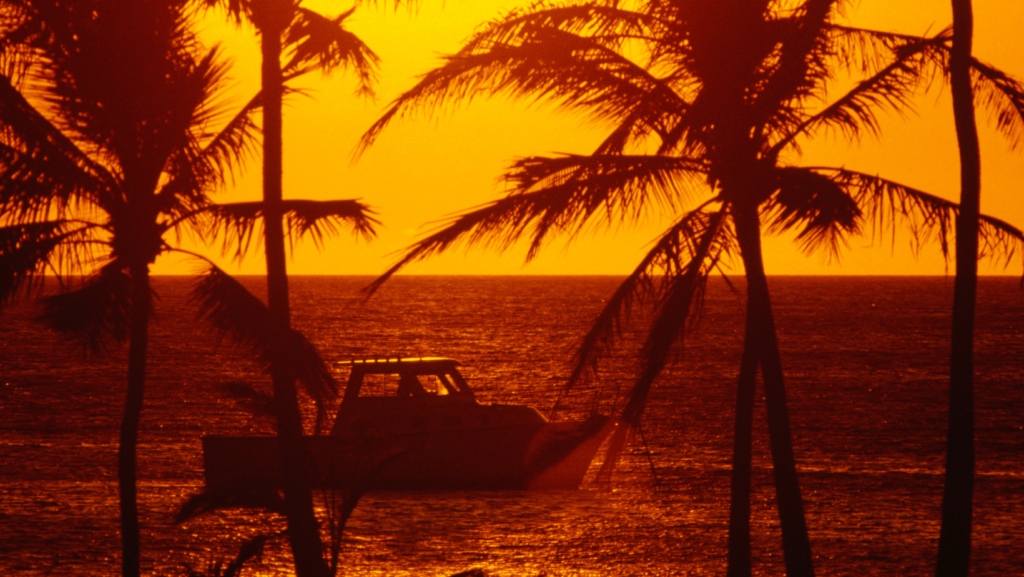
[414,424]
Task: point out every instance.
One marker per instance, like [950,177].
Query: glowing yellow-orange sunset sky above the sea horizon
[421,172]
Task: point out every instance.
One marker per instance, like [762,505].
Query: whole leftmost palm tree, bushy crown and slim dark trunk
[107,109]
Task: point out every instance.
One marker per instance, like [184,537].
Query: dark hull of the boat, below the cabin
[546,457]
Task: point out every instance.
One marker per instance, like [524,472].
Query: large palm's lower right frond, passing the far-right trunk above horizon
[890,205]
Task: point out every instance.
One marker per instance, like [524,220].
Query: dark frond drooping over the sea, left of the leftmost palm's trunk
[98,314]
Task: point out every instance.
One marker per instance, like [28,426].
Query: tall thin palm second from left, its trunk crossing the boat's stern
[314,43]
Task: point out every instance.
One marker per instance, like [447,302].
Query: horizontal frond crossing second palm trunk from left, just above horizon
[241,224]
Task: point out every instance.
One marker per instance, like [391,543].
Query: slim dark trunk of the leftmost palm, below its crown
[127,450]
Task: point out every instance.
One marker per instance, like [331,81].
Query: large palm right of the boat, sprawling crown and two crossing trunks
[705,127]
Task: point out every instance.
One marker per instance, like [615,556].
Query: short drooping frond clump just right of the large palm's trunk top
[820,208]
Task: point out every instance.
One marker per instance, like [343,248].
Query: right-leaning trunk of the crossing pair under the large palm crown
[796,544]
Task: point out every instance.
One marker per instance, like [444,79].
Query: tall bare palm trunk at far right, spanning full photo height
[955,538]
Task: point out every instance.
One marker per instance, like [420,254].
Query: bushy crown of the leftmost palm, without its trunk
[110,156]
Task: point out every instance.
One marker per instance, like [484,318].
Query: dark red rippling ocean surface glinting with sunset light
[866,361]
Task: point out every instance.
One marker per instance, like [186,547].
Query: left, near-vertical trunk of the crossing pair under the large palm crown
[740,504]
